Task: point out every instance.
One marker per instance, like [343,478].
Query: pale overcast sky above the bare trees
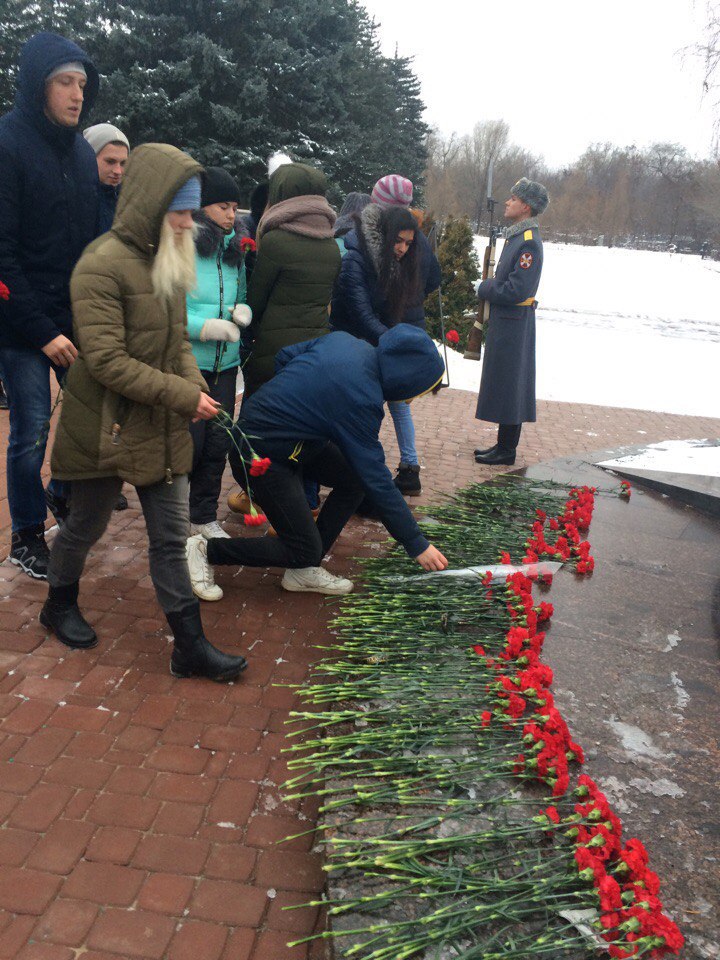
[568,75]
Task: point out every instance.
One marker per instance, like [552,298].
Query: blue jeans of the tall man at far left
[26,378]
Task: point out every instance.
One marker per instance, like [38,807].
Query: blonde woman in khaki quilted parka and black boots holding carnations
[128,400]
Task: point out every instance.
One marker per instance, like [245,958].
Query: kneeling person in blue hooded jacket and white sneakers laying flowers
[319,418]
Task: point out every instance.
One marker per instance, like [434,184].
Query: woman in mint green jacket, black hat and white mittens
[216,310]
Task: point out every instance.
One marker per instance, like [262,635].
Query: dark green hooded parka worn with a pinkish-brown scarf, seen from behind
[291,285]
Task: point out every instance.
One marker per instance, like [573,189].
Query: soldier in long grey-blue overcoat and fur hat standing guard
[507,389]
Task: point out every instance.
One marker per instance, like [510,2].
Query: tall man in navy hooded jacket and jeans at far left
[48,215]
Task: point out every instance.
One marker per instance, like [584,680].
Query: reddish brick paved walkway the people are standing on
[140,814]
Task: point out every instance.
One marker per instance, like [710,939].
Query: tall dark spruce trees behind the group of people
[232,80]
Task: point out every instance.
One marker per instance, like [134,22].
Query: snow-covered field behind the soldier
[623,328]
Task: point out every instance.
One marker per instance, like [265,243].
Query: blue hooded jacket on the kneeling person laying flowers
[335,388]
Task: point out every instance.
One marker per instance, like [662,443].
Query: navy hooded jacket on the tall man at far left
[48,199]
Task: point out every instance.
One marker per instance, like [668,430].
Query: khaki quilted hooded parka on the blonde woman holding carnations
[135,385]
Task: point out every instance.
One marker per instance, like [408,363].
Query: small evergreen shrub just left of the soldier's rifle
[460,269]
